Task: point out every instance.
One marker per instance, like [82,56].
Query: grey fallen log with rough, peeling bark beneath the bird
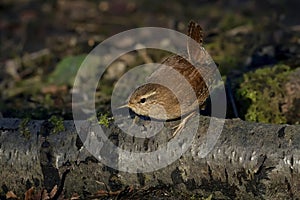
[248,161]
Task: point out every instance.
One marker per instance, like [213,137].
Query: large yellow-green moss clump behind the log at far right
[261,94]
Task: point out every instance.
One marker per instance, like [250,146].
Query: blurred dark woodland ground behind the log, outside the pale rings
[255,43]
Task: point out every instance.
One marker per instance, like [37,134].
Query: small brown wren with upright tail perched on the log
[158,101]
